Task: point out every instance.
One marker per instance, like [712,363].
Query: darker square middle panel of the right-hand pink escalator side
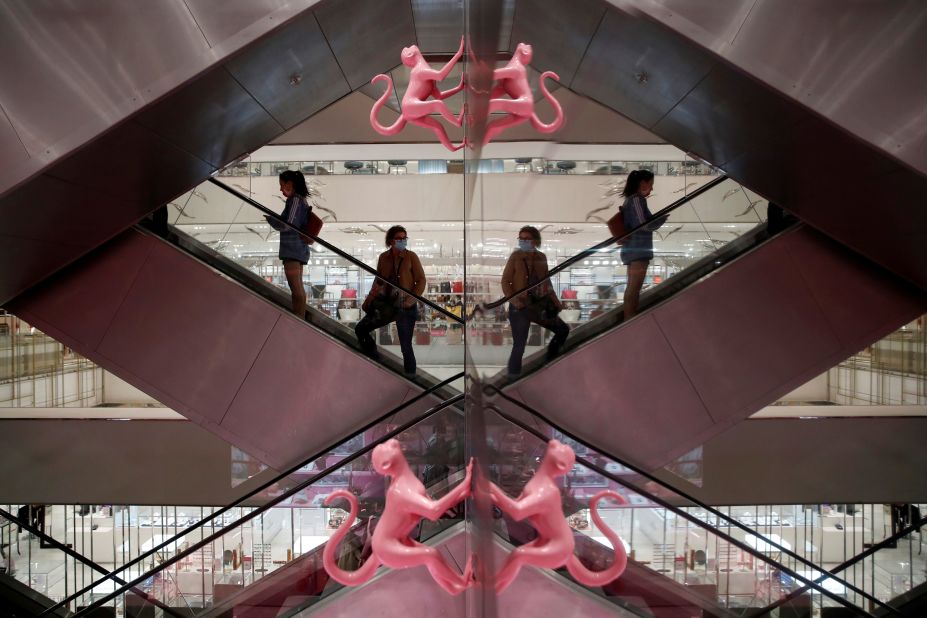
[747,331]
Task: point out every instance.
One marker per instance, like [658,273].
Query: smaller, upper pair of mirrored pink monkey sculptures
[511,94]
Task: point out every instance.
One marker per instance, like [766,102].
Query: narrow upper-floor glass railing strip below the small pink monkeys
[518,165]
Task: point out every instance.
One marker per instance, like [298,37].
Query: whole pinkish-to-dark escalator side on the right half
[718,351]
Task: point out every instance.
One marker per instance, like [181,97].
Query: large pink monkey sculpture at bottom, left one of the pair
[406,504]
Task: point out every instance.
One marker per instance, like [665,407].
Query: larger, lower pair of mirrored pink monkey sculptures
[407,502]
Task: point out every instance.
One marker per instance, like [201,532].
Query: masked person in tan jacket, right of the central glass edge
[525,267]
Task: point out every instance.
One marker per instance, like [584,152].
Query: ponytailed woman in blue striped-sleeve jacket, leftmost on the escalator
[293,251]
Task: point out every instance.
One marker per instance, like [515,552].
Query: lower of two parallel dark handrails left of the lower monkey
[266,507]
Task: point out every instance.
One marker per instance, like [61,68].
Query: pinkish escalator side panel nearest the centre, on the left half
[315,390]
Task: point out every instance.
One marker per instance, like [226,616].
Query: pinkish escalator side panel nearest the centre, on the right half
[621,379]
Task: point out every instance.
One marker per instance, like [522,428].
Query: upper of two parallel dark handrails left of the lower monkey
[112,574]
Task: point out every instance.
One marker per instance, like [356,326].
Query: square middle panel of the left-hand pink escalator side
[188,332]
